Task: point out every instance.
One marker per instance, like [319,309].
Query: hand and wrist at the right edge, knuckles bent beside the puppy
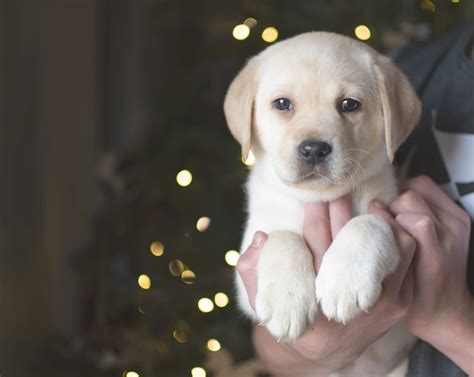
[442,312]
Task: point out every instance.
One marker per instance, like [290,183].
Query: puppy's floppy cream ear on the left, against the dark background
[238,105]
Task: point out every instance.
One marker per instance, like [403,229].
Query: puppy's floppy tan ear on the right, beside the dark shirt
[400,104]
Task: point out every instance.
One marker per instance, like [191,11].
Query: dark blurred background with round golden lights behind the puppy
[104,256]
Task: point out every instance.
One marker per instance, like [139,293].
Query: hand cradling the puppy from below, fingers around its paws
[329,345]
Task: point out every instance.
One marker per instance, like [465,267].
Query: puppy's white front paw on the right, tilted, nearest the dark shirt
[354,267]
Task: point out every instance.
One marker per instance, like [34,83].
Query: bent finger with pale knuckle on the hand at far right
[421,227]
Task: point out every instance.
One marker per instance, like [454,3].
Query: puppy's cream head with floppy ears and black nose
[321,107]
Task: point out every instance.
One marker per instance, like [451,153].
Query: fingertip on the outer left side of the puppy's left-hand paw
[247,266]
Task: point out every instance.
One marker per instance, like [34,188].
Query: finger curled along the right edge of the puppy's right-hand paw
[406,247]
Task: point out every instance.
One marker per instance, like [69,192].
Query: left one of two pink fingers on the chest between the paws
[317,230]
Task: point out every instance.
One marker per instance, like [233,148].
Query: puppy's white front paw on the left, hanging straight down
[285,301]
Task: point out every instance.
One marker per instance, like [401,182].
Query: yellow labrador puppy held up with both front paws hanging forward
[323,115]
